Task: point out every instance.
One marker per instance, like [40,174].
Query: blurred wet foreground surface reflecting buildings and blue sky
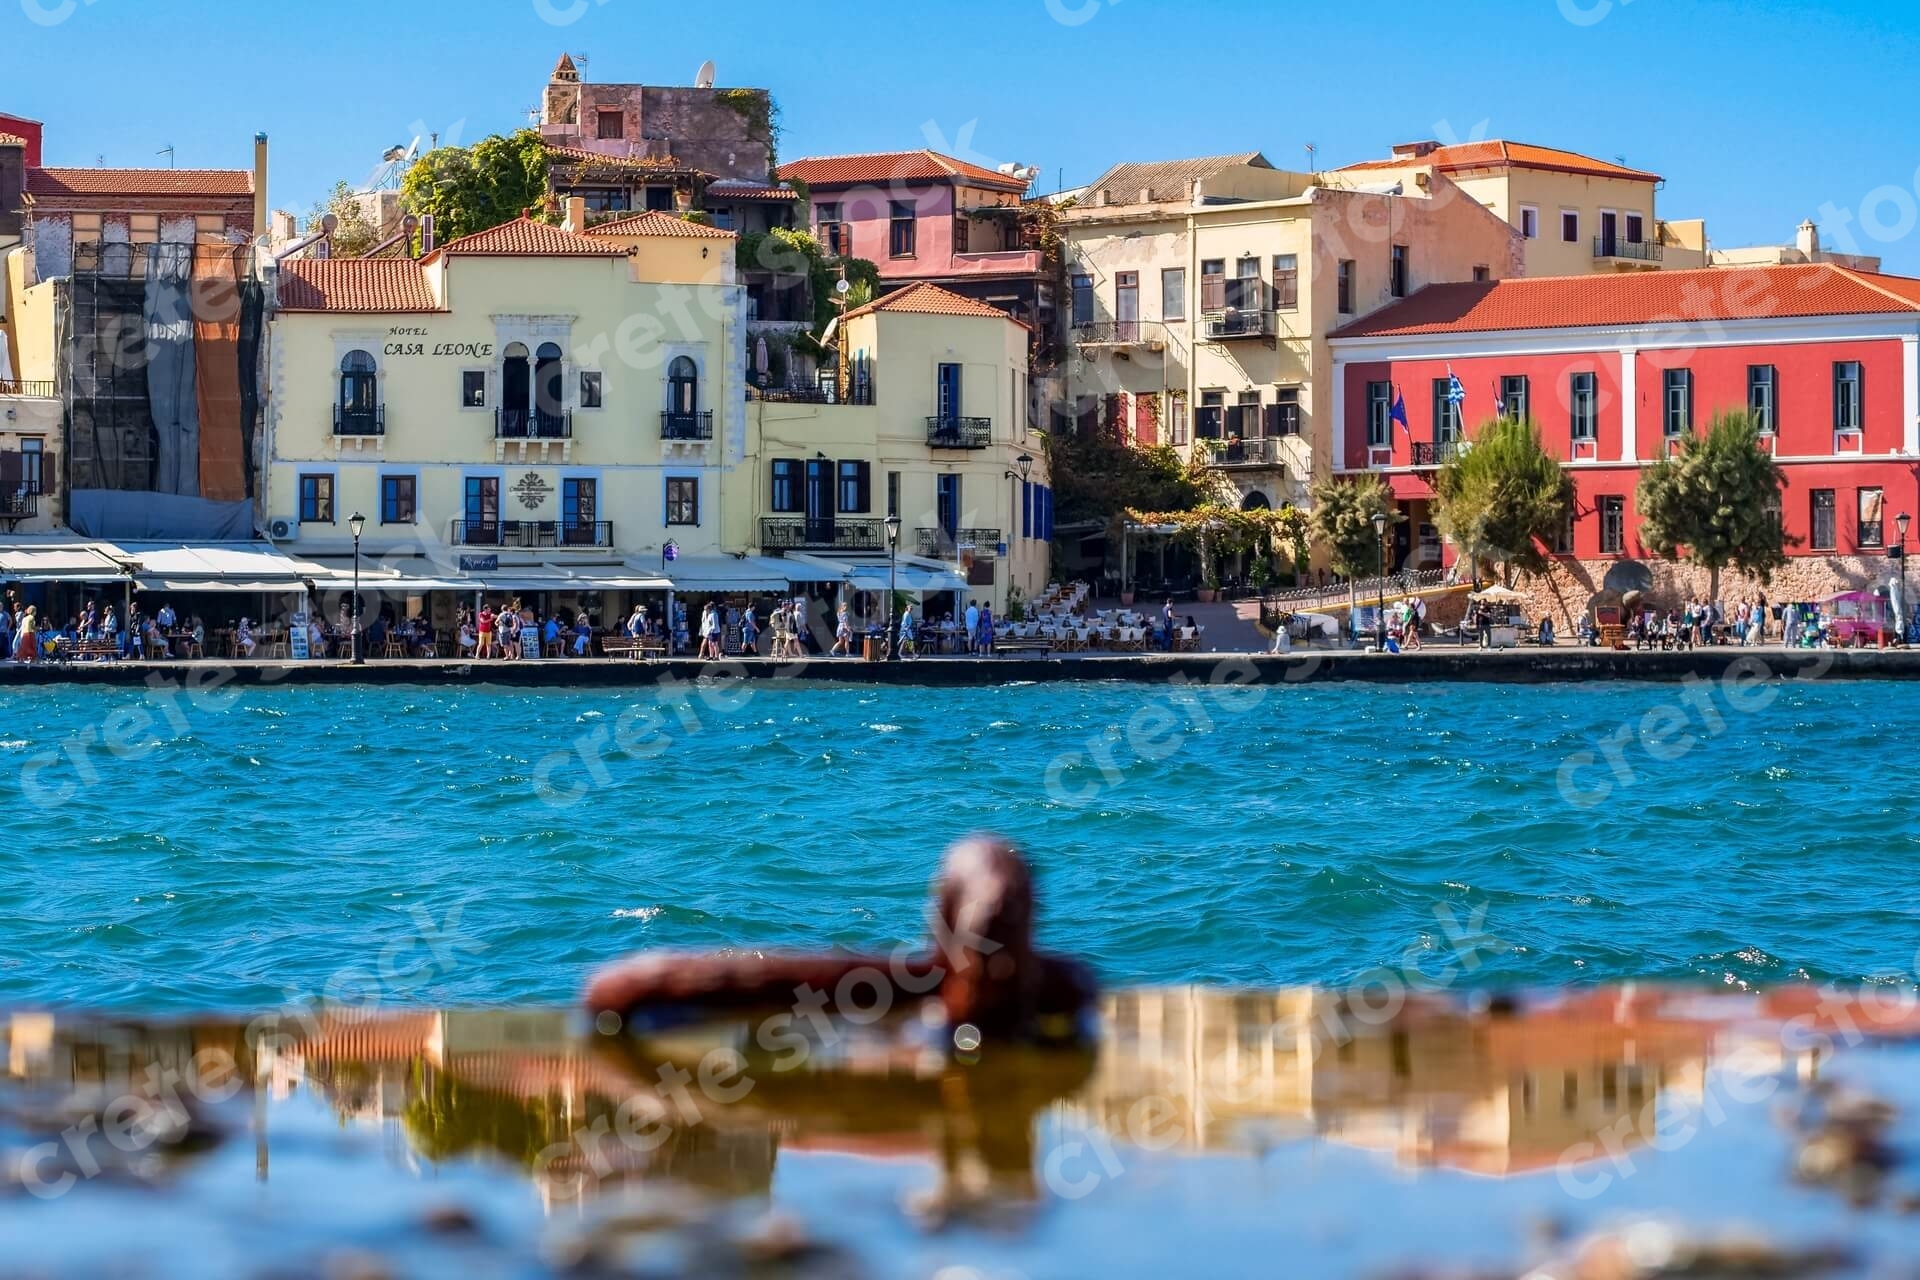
[1598,1135]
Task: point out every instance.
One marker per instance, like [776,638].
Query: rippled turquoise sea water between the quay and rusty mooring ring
[489,845]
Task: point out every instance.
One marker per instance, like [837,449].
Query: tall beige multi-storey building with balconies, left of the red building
[1203,293]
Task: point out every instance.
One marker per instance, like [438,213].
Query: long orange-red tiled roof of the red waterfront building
[1641,298]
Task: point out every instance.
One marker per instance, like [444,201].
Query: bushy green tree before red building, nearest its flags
[1504,498]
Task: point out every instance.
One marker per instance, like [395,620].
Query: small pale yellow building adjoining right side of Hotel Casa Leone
[928,423]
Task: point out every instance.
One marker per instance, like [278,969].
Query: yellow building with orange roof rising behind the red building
[1577,214]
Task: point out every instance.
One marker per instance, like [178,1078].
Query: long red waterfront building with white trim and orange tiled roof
[1616,371]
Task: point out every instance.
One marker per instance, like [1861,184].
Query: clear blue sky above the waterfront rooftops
[1758,112]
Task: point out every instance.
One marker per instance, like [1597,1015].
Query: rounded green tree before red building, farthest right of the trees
[1717,502]
